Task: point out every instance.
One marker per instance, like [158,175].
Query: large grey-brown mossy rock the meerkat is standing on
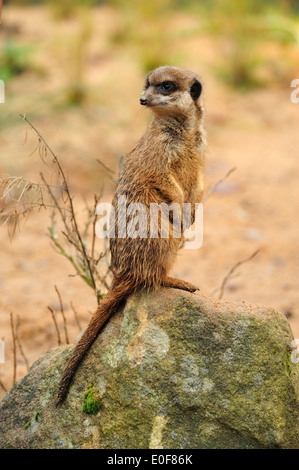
[173,370]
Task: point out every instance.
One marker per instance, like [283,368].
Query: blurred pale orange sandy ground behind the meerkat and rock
[255,208]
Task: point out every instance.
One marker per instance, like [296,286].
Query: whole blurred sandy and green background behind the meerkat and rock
[76,69]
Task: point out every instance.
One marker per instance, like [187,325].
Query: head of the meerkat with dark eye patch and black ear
[172,91]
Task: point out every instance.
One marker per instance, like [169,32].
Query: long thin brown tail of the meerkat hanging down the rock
[117,293]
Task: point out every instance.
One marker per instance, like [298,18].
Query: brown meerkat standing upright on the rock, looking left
[166,166]
